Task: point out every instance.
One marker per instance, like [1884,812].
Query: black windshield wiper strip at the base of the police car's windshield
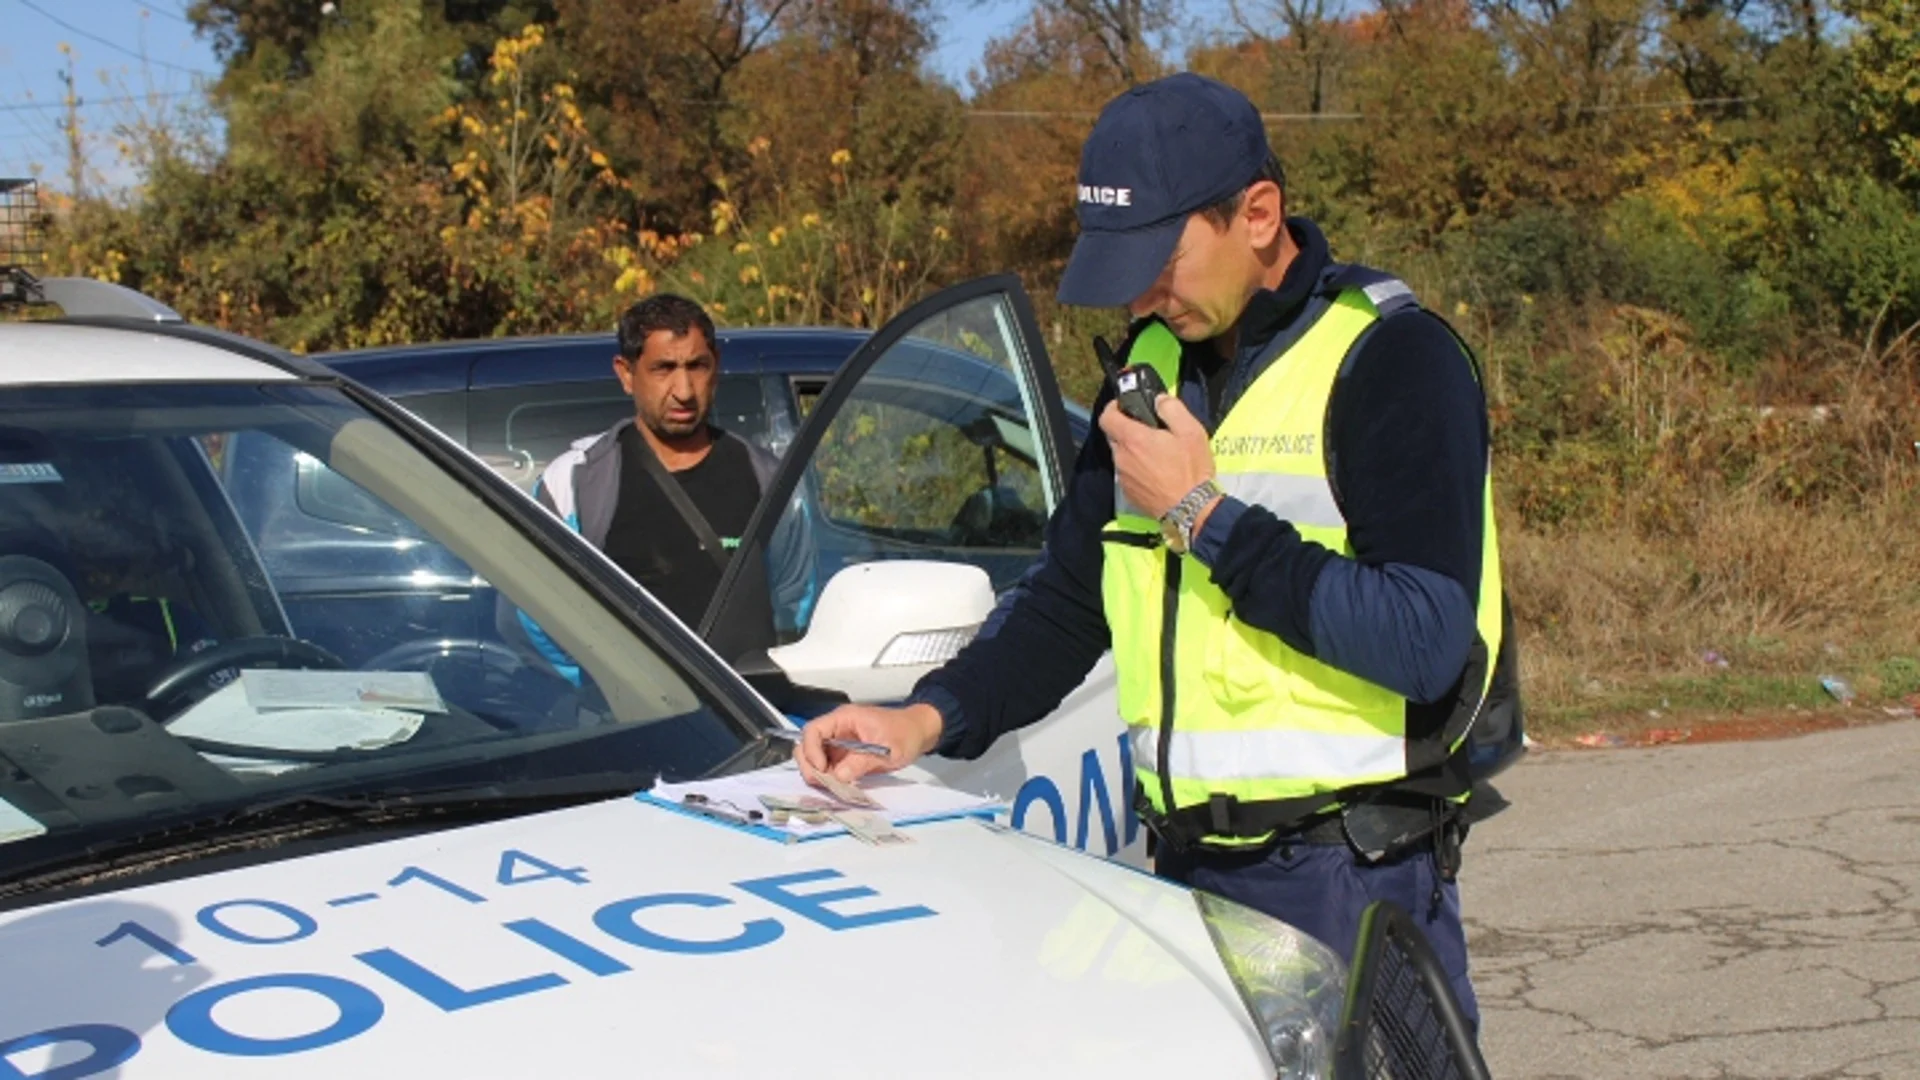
[308,814]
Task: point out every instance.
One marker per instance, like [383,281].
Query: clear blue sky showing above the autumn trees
[128,51]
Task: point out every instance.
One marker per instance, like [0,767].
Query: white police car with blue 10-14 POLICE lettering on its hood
[204,875]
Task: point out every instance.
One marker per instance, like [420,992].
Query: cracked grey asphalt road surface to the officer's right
[1727,910]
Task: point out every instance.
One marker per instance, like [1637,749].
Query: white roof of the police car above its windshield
[116,353]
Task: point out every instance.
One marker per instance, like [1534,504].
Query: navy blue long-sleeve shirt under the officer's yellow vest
[1408,449]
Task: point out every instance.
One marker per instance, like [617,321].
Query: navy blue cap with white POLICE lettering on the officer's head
[1157,155]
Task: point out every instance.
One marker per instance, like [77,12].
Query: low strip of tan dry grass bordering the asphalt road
[1616,620]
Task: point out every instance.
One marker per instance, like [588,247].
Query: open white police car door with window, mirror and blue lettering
[913,497]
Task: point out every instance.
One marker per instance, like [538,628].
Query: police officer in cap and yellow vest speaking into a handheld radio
[1297,570]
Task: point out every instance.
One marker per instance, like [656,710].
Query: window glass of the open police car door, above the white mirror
[940,441]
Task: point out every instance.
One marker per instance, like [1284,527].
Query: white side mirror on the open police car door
[882,626]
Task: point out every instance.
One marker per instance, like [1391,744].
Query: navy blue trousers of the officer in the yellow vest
[1324,889]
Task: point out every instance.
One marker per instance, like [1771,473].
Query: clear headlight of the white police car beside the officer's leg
[1293,985]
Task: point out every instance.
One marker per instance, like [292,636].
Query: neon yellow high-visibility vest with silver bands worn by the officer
[1216,706]
